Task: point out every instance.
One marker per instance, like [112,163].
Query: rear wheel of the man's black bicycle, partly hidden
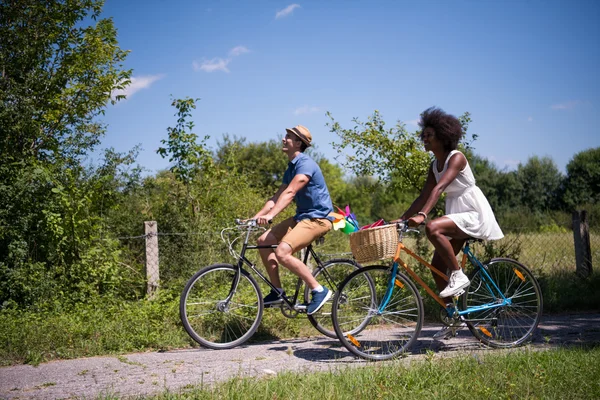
[331,275]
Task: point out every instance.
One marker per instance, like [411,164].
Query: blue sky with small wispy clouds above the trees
[527,71]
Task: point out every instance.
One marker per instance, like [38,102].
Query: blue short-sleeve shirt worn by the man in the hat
[313,200]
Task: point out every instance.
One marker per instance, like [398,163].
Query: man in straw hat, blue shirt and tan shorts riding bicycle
[303,181]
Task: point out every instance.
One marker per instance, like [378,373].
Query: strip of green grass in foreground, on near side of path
[554,374]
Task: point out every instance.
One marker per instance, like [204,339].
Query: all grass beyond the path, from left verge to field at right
[118,327]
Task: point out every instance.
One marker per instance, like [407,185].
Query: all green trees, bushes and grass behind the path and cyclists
[72,250]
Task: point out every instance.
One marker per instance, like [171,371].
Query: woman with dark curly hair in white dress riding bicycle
[468,213]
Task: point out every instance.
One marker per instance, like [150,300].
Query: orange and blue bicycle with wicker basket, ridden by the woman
[501,306]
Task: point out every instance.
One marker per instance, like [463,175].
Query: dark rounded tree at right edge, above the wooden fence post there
[582,185]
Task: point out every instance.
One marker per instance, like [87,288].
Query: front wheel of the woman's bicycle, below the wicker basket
[392,327]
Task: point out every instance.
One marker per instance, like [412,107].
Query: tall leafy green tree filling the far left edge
[59,64]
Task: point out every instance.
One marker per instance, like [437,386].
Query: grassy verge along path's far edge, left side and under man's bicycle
[28,337]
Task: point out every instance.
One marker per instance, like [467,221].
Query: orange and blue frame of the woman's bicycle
[467,255]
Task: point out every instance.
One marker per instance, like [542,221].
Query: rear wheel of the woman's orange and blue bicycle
[510,325]
